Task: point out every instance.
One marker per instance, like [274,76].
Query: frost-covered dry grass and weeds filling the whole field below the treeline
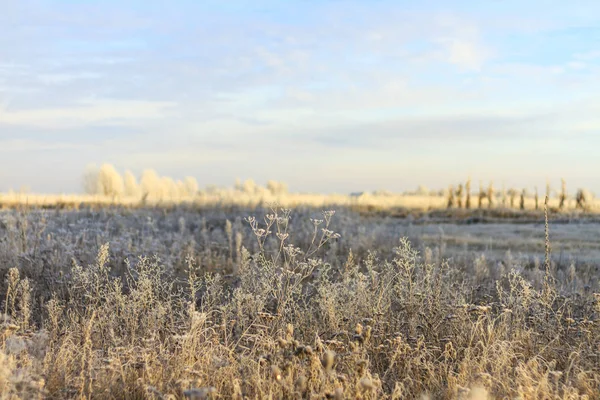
[188,302]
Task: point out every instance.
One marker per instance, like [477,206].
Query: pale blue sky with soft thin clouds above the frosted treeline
[328,96]
